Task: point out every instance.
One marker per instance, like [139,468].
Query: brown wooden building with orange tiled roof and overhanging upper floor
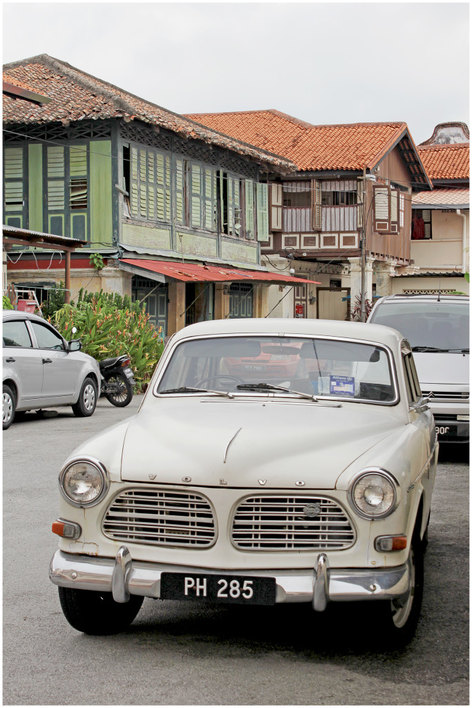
[344,216]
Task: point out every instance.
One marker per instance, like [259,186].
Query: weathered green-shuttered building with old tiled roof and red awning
[143,188]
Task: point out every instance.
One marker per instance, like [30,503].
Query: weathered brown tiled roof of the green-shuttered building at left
[77,96]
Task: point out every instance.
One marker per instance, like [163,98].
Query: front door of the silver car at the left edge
[61,370]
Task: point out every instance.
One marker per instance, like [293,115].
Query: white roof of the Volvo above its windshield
[300,327]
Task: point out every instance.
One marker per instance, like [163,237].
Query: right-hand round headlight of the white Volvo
[374,494]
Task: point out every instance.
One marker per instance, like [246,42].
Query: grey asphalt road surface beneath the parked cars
[177,654]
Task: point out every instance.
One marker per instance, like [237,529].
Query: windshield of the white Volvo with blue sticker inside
[258,364]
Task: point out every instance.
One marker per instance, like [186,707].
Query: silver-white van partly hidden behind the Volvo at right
[437,328]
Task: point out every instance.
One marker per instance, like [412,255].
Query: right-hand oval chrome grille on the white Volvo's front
[280,523]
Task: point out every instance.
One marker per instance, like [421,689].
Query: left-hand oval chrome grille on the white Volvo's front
[161,518]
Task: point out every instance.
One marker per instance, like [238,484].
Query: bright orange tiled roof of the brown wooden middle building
[312,147]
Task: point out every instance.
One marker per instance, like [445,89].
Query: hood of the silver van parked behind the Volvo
[437,370]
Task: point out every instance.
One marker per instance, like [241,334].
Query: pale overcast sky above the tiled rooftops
[321,62]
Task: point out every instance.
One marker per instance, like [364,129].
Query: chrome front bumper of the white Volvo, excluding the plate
[124,577]
